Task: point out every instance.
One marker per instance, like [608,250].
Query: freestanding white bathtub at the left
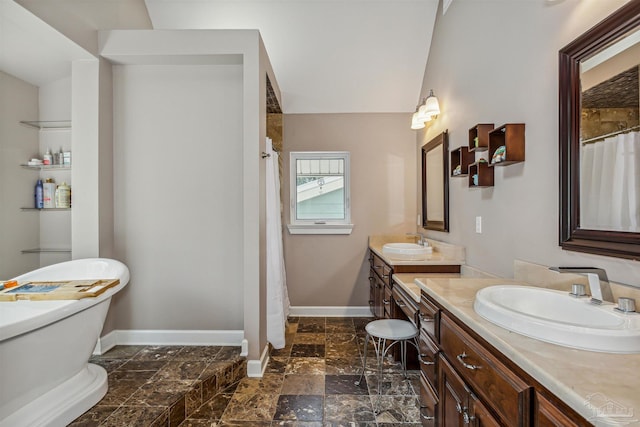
[45,377]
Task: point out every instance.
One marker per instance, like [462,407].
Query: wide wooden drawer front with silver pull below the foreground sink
[488,377]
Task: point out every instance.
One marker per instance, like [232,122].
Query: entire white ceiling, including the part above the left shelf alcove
[329,56]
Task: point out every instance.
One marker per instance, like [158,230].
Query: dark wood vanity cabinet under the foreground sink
[465,381]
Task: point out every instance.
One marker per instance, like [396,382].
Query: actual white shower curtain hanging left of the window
[277,295]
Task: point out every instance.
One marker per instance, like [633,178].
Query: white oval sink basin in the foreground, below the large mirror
[555,317]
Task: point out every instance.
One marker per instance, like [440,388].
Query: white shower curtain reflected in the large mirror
[609,183]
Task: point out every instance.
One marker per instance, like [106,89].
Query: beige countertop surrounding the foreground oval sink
[585,380]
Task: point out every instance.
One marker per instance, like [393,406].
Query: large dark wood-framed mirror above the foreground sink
[600,138]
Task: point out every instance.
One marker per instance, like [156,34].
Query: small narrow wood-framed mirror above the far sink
[435,183]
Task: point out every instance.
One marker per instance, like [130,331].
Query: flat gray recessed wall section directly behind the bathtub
[178,196]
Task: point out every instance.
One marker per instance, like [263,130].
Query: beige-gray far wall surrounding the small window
[332,270]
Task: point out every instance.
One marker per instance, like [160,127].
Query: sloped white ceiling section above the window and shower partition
[328,56]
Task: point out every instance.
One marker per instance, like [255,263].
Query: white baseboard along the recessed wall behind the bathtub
[167,337]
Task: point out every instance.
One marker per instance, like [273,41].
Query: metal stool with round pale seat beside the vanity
[394,330]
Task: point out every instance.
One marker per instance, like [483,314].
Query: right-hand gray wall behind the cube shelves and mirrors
[496,61]
